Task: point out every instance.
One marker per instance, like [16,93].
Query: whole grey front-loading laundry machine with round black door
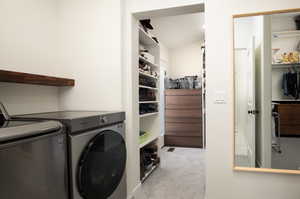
[97,152]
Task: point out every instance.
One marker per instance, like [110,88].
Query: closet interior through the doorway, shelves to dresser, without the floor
[169,84]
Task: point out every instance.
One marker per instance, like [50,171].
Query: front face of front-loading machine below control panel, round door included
[98,163]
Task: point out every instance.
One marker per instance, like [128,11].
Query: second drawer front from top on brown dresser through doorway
[183,102]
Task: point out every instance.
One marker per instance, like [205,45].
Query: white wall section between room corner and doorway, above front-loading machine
[90,44]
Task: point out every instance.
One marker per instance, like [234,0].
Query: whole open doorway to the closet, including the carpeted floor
[151,73]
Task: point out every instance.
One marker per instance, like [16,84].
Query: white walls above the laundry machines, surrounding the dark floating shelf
[77,39]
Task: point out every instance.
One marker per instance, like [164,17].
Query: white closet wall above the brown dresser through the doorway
[186,60]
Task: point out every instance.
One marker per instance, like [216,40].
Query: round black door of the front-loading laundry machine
[101,166]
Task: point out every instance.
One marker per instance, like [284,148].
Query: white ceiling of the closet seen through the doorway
[177,31]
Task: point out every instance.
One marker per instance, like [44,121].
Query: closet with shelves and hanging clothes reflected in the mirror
[285,90]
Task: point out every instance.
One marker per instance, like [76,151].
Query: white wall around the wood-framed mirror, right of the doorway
[222,181]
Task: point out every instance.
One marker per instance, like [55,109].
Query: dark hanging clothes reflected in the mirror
[290,84]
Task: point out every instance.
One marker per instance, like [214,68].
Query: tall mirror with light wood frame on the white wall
[267,92]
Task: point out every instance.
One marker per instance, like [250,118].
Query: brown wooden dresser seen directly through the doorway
[183,118]
